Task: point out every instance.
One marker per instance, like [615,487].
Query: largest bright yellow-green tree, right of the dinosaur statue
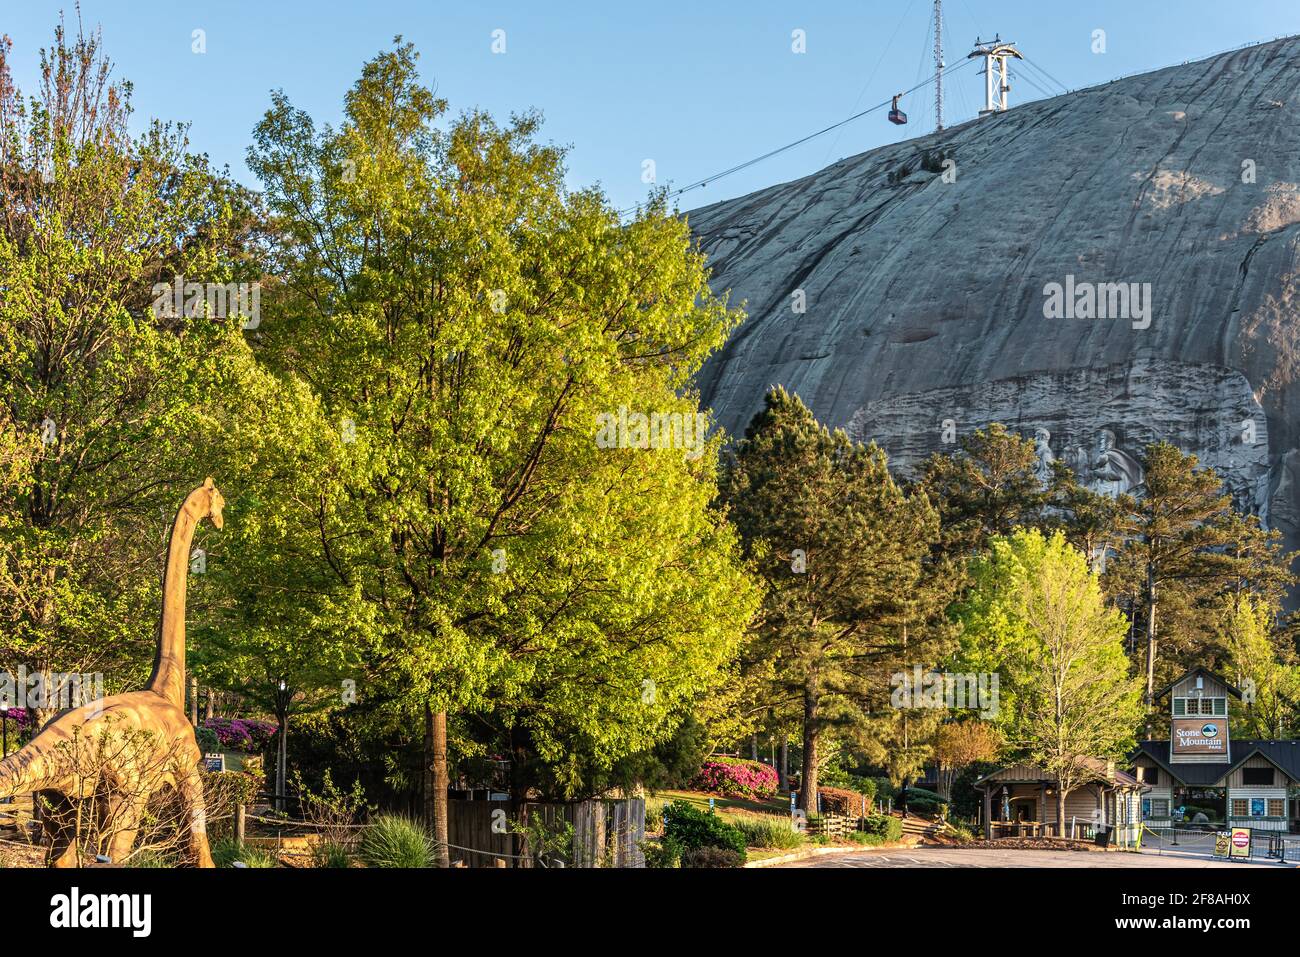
[469,319]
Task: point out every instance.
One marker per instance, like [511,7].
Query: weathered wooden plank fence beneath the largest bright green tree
[606,834]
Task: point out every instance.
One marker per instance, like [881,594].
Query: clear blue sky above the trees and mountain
[695,86]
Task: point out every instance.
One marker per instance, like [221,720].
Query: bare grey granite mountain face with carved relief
[894,297]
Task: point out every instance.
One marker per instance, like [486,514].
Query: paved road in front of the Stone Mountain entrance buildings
[994,858]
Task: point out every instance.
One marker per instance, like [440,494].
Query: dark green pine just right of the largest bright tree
[847,557]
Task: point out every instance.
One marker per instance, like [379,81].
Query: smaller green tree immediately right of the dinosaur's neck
[272,622]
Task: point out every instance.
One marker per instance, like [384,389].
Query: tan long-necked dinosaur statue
[44,765]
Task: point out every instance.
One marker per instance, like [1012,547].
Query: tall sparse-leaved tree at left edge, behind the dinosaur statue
[110,412]
